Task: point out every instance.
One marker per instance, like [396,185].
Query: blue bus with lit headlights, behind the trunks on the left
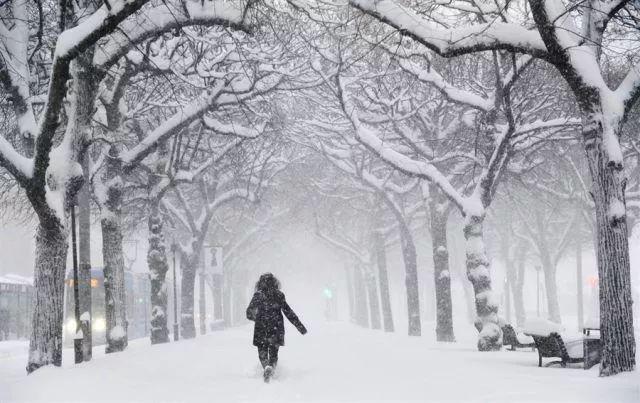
[137,292]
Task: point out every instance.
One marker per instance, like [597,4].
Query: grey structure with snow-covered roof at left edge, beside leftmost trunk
[16,305]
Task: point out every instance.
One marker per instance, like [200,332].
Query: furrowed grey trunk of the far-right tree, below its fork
[616,316]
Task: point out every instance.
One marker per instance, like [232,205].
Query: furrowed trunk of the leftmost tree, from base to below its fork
[45,344]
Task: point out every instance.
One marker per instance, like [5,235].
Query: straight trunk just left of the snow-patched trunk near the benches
[441,273]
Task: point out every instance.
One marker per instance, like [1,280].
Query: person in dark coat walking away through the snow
[266,309]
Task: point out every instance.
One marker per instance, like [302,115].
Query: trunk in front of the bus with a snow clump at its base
[113,258]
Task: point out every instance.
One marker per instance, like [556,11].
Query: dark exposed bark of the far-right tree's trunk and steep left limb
[607,191]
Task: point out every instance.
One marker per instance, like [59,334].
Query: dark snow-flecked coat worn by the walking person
[266,309]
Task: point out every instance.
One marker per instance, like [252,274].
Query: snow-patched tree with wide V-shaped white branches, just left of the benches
[501,132]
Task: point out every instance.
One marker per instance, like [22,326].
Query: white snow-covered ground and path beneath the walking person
[333,363]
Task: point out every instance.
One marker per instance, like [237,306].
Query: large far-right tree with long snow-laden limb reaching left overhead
[573,38]
